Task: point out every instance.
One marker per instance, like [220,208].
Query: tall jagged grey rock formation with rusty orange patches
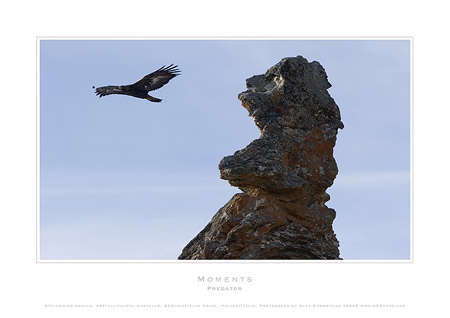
[281,213]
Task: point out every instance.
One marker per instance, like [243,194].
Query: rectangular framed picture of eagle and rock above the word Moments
[224,149]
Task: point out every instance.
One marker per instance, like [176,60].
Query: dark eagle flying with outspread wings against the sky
[140,89]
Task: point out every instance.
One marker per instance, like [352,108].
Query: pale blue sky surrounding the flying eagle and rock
[125,179]
